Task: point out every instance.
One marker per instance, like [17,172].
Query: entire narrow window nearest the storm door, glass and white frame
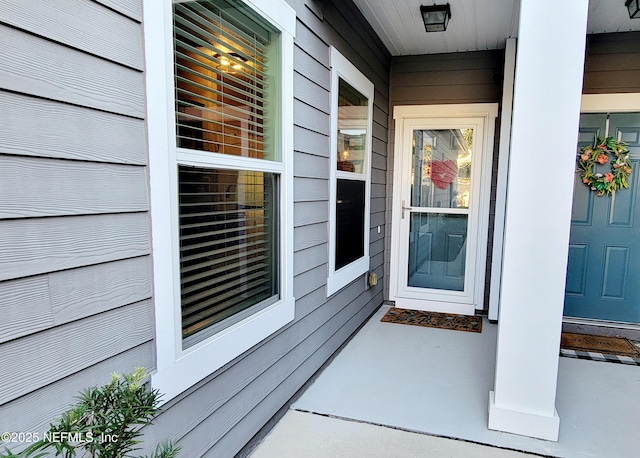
[351,124]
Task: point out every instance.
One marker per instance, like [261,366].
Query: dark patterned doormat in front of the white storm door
[433,319]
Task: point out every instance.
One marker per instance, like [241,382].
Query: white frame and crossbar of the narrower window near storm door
[342,68]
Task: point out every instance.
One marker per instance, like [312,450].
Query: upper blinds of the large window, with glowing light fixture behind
[224,58]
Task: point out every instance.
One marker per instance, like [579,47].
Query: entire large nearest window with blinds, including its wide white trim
[219,99]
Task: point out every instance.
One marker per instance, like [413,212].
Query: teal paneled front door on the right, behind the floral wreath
[603,273]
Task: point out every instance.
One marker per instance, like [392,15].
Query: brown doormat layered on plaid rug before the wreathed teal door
[599,348]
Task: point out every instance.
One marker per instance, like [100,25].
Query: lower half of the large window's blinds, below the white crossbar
[228,247]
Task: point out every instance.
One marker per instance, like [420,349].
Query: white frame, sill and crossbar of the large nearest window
[178,369]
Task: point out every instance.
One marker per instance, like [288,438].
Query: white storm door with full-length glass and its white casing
[439,194]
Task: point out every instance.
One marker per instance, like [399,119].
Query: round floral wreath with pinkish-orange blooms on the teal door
[589,156]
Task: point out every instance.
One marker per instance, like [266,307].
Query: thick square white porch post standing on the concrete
[548,86]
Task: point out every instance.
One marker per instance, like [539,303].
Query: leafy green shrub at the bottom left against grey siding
[106,422]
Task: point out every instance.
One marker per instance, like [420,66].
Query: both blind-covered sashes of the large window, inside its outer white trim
[229,164]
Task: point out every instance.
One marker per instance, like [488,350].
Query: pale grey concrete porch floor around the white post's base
[428,382]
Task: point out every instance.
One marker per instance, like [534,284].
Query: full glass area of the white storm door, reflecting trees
[440,188]
